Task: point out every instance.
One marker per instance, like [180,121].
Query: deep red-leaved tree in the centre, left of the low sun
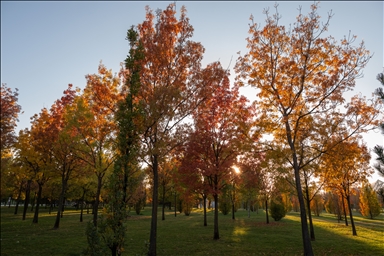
[216,141]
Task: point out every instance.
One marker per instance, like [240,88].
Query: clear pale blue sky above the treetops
[46,45]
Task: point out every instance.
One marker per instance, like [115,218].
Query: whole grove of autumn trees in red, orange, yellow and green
[165,127]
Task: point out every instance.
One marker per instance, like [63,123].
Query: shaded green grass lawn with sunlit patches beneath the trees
[186,235]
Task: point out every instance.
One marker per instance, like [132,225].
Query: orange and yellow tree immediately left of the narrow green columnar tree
[93,119]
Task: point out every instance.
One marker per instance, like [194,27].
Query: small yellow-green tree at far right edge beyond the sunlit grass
[369,204]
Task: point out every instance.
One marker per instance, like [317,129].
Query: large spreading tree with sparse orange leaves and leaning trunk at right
[301,78]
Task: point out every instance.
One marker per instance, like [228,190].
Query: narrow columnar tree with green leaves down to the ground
[126,173]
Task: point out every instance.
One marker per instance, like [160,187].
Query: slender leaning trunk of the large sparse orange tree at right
[304,225]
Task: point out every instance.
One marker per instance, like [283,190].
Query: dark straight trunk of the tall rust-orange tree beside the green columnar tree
[153,234]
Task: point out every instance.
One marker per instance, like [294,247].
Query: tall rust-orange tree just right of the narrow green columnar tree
[172,86]
